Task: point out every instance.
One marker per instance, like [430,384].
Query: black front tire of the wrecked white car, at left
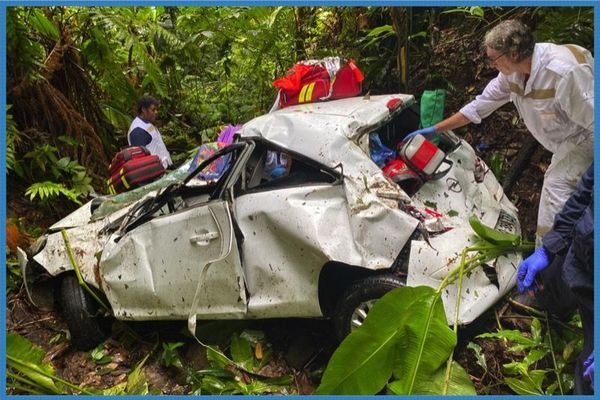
[80,311]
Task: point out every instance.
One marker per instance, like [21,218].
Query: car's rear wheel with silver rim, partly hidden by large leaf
[357,299]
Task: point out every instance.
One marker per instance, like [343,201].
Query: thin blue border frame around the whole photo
[413,3]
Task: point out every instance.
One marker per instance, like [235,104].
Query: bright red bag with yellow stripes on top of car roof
[320,80]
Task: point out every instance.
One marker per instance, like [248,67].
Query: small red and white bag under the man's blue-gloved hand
[424,157]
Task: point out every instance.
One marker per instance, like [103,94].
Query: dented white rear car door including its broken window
[293,222]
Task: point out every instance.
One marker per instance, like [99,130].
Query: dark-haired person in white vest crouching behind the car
[142,131]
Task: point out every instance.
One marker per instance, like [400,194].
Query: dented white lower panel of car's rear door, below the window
[289,234]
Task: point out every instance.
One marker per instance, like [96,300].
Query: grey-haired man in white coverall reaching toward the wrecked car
[552,87]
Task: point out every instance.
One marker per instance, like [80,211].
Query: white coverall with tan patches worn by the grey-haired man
[557,105]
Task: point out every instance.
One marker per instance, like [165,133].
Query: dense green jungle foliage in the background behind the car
[76,72]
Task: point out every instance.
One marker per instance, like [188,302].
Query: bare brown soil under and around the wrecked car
[301,349]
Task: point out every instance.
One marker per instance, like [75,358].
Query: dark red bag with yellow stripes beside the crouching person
[134,173]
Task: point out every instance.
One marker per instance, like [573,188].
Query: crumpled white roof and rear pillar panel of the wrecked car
[324,132]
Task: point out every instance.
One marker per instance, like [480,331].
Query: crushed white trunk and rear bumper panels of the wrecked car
[458,196]
